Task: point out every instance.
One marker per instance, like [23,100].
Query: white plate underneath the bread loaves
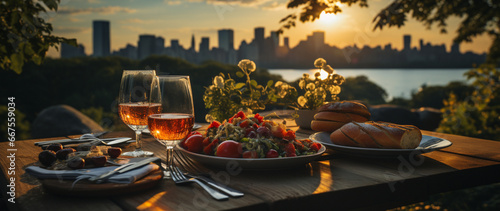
[427,144]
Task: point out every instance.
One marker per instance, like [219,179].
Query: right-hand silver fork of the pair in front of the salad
[187,165]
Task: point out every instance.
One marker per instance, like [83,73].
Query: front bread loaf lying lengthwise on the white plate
[377,135]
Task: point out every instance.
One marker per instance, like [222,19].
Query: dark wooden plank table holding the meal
[334,181]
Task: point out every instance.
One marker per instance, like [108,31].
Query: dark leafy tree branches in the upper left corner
[24,34]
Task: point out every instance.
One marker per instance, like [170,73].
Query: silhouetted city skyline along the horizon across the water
[267,51]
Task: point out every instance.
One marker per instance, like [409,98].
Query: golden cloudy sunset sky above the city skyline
[173,19]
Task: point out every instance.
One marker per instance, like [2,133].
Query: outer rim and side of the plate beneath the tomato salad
[252,164]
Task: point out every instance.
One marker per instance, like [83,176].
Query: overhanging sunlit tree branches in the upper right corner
[478,16]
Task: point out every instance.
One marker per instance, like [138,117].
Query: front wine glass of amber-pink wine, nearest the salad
[177,116]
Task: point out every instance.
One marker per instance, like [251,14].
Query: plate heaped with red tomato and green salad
[249,142]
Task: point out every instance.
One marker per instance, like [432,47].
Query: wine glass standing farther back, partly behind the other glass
[134,104]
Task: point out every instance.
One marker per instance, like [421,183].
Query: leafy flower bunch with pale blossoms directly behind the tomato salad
[225,96]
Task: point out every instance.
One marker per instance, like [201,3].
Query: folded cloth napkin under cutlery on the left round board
[79,174]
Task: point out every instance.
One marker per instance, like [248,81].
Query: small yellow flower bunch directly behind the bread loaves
[317,91]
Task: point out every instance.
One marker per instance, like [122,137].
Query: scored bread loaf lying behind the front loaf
[332,116]
